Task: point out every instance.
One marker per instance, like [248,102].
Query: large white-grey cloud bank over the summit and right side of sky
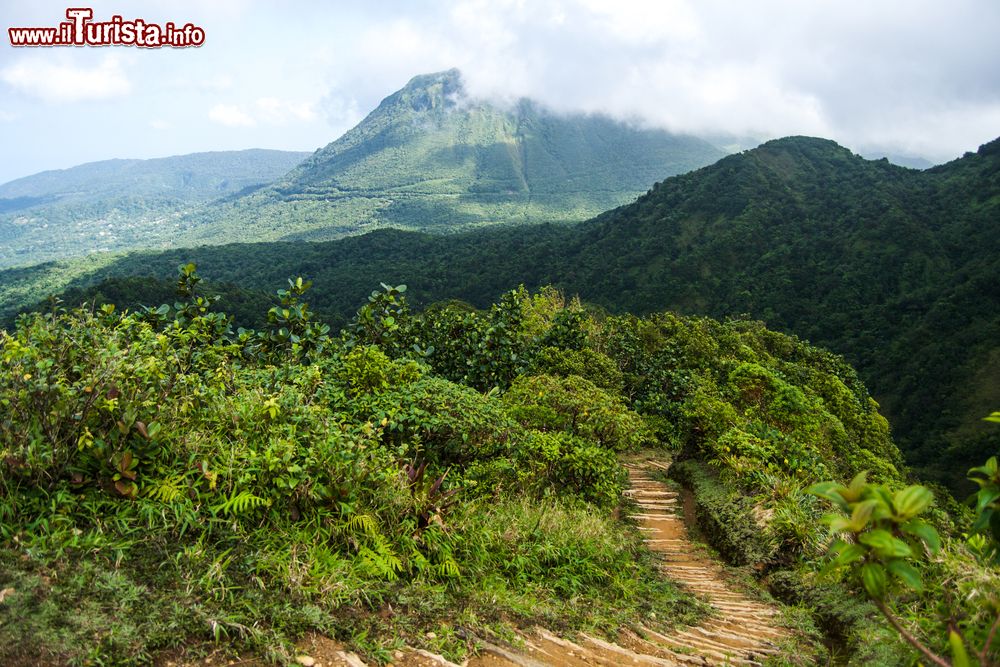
[917,74]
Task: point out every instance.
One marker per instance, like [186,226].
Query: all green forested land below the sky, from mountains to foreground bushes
[426,436]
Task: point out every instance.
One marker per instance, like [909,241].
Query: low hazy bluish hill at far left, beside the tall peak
[122,204]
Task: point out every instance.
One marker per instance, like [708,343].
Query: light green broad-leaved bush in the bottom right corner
[887,549]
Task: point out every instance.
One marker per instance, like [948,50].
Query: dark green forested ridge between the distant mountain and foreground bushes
[893,268]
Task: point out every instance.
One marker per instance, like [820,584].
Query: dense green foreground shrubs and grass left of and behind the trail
[451,469]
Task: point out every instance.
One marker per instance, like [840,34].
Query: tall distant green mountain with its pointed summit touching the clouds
[431,157]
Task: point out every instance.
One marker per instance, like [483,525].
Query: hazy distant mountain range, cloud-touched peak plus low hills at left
[430,158]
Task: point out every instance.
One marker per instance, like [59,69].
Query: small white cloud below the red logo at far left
[63,81]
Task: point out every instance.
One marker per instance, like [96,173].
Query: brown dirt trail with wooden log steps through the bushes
[742,631]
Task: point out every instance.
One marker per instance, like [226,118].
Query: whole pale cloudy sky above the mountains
[909,77]
